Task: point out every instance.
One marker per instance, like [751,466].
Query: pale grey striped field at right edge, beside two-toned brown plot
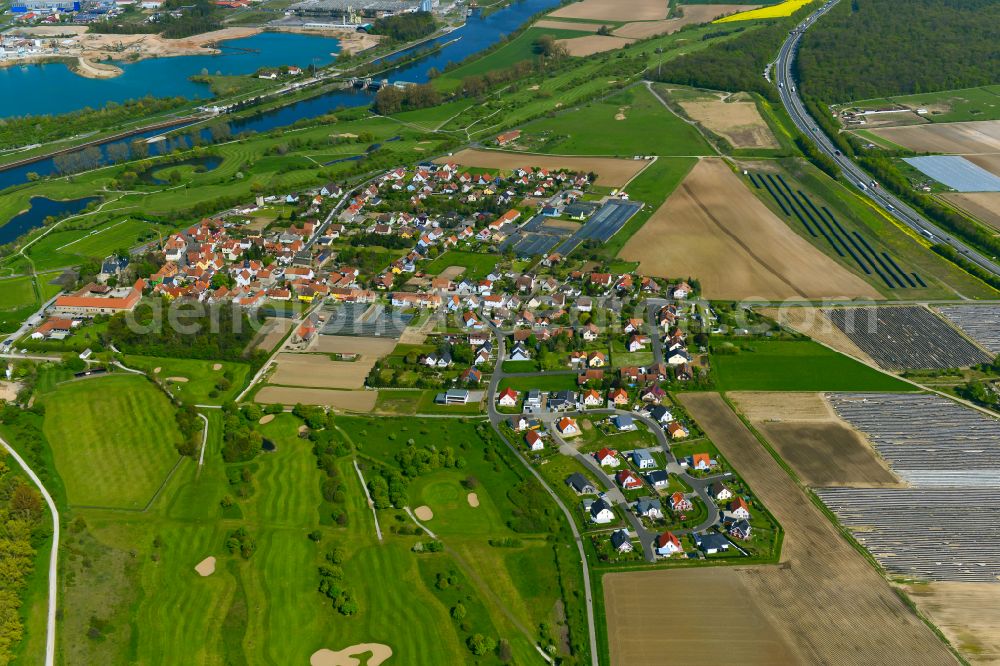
[929,441]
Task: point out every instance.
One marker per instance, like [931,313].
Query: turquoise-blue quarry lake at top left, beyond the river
[53,88]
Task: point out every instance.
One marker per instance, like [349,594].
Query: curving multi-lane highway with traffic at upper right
[854,174]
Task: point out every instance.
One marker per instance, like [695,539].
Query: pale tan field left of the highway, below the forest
[734,117]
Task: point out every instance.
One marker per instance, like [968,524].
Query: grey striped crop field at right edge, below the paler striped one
[925,533]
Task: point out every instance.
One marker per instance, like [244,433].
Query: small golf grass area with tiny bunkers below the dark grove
[202,377]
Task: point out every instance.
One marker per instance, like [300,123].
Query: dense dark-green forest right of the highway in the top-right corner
[864,49]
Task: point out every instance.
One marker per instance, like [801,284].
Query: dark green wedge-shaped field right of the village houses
[767,365]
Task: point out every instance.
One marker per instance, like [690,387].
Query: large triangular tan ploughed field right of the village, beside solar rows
[714,228]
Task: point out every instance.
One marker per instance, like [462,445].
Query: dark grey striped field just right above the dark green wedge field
[906,337]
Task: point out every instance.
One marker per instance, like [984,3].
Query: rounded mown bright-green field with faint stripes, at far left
[113,439]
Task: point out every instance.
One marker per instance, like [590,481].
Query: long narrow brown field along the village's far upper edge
[611,172]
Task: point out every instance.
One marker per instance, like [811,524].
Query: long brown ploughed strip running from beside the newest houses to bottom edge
[824,600]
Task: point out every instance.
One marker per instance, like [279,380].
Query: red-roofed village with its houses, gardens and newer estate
[568,357]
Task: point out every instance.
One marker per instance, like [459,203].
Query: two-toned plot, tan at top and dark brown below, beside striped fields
[822,448]
